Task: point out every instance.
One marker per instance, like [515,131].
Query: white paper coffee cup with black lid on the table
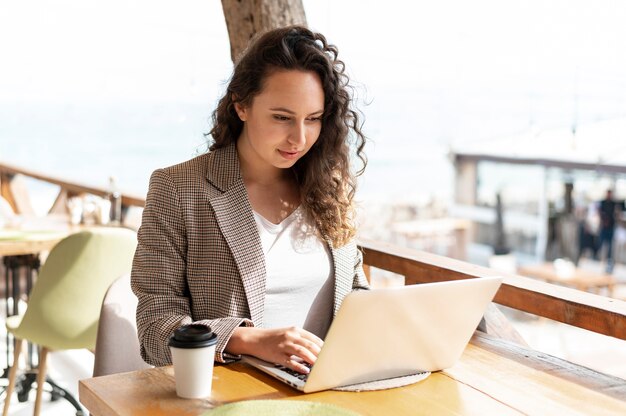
[193,352]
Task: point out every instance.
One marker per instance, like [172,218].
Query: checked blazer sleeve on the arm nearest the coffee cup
[158,277]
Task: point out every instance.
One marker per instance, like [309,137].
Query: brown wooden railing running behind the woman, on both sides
[595,313]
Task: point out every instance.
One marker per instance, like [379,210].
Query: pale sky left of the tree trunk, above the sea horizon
[110,50]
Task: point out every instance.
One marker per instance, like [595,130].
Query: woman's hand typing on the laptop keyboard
[285,346]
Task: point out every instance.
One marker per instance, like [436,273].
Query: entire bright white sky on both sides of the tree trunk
[142,50]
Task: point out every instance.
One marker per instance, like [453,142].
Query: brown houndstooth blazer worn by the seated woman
[199,257]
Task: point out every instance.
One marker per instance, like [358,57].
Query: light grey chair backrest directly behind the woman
[117,346]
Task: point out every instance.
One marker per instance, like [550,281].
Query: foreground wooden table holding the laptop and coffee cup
[493,377]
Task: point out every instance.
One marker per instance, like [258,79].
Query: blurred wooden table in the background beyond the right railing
[581,279]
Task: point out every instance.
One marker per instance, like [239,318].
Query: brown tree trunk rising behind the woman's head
[245,18]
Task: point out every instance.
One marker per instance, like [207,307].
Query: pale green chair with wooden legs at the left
[64,305]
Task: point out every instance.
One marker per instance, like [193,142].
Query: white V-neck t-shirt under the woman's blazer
[299,272]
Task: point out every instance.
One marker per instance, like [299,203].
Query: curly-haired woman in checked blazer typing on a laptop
[255,238]
